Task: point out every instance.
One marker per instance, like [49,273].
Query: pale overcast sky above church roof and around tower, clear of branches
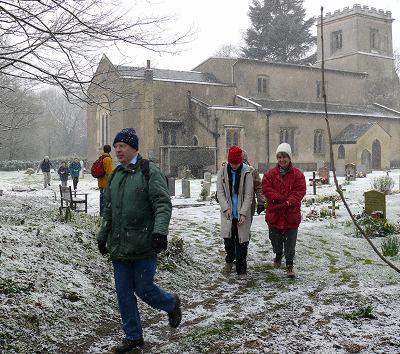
[218,22]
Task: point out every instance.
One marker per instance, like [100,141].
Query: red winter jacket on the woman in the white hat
[284,195]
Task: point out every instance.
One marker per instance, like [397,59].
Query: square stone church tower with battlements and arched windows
[358,39]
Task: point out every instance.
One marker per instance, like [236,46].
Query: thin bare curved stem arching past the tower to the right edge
[390,264]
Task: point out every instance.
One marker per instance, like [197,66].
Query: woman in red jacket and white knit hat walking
[284,186]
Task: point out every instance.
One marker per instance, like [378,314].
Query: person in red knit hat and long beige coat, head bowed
[235,195]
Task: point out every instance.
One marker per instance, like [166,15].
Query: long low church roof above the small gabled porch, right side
[374,110]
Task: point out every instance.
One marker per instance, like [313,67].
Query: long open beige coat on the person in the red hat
[245,198]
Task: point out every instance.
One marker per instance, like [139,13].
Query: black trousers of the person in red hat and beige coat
[236,250]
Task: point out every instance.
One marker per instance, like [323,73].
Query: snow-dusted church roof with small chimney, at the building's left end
[167,75]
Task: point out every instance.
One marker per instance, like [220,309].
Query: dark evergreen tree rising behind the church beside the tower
[279,32]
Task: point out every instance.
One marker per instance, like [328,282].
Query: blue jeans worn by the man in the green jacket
[137,277]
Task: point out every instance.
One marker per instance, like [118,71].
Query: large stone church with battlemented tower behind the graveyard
[190,118]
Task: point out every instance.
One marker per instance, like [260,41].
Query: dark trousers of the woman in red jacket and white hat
[284,241]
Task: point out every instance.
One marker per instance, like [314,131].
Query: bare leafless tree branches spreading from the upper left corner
[57,42]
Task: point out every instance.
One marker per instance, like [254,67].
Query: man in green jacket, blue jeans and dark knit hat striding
[134,229]
